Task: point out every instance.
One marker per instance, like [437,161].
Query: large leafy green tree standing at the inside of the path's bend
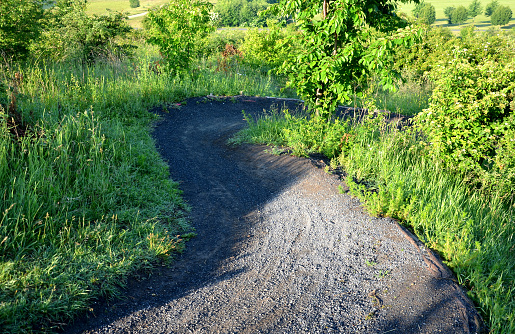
[342,43]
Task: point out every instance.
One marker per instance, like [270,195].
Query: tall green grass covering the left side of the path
[85,197]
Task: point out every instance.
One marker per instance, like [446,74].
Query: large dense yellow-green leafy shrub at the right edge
[470,122]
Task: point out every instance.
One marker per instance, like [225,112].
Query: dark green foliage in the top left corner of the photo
[20,24]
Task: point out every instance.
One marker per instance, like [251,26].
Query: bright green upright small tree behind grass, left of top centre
[177,29]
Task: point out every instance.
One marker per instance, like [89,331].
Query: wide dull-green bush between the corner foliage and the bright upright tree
[71,34]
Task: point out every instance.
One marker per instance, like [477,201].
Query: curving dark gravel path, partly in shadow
[279,249]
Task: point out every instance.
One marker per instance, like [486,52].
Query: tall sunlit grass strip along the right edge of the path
[390,171]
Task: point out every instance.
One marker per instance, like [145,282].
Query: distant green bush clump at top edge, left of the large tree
[235,13]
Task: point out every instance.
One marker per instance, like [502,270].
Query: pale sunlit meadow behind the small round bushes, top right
[481,22]
